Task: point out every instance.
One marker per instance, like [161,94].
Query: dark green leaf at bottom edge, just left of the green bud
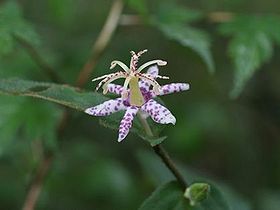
[167,197]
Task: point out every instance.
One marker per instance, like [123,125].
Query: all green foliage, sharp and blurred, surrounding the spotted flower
[233,140]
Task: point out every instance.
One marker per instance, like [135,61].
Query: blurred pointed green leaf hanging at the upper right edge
[251,45]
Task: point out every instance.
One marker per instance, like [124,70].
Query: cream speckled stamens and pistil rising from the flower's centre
[132,76]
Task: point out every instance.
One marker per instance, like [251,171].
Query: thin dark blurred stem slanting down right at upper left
[49,71]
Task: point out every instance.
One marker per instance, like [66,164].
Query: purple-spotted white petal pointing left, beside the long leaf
[106,108]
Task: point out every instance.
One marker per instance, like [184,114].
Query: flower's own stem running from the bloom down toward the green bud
[163,154]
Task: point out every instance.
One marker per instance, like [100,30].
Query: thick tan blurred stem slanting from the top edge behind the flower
[102,41]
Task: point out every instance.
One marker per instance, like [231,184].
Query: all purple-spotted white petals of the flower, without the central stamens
[158,112]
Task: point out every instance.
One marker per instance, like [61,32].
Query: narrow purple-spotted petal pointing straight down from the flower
[126,122]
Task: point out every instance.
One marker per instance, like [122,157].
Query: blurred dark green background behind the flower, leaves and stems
[235,142]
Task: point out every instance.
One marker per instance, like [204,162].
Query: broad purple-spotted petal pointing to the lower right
[158,113]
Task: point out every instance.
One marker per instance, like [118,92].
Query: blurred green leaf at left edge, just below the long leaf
[28,119]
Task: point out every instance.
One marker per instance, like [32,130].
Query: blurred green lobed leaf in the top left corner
[12,24]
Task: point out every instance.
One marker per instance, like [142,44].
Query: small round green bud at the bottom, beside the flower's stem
[197,192]
